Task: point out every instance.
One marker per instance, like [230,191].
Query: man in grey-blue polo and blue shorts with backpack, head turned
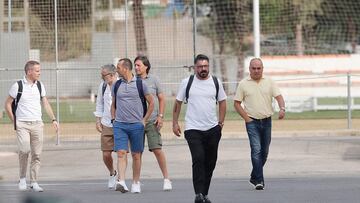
[129,115]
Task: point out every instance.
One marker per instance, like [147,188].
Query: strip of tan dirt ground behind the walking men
[232,128]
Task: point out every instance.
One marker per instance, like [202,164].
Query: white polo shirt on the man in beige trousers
[29,106]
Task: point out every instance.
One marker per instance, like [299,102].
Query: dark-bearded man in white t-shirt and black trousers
[202,125]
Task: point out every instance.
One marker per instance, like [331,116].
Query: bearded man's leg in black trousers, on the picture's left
[194,139]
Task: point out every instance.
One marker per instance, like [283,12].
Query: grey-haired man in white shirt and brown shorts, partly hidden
[103,119]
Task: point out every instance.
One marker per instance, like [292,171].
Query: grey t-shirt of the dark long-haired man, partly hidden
[154,87]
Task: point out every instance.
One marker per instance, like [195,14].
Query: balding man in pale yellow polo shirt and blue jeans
[255,93]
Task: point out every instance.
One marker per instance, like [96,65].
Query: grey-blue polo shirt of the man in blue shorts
[129,108]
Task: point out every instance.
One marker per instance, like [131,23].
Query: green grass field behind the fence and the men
[72,111]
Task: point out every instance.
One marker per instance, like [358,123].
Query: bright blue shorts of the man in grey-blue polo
[128,132]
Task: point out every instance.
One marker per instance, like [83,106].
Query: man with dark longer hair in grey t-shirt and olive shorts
[153,126]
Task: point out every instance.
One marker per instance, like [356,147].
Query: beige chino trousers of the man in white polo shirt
[30,139]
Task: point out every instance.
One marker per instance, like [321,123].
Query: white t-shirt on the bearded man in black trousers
[201,107]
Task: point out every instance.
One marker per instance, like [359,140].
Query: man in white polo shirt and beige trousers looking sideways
[28,122]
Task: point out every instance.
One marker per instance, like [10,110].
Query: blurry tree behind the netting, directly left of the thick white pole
[226,27]
